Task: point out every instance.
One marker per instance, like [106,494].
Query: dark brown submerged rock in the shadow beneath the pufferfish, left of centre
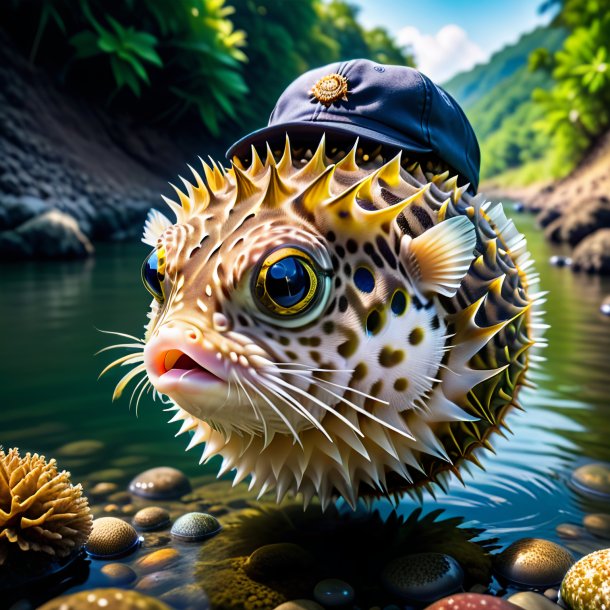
[277,560]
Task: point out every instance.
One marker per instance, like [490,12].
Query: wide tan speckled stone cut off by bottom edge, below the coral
[109,599]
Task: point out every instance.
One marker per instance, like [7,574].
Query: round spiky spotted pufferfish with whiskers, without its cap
[336,323]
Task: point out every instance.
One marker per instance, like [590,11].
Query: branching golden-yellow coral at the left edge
[40,510]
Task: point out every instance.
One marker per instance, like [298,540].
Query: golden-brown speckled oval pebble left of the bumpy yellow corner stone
[533,562]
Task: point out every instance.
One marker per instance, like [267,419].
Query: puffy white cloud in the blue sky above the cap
[443,54]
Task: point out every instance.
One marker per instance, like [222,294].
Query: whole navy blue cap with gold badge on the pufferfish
[393,105]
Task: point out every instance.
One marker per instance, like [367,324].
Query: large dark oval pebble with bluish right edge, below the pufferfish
[423,577]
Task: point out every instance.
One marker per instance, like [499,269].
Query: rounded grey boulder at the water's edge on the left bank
[52,235]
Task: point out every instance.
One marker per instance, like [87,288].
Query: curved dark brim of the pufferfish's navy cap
[260,136]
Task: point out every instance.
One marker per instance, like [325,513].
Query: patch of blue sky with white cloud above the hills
[450,36]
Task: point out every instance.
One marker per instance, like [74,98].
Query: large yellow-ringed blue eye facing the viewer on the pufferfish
[288,282]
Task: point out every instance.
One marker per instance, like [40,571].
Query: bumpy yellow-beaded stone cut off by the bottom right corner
[587,584]
